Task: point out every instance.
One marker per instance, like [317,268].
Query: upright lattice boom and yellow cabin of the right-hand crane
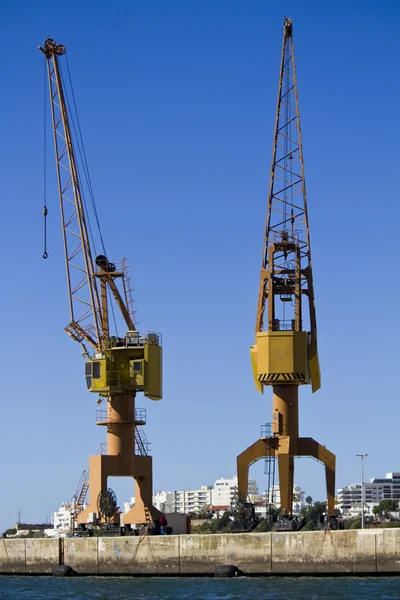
[286,279]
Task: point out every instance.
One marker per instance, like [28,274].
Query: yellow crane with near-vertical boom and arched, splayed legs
[285,354]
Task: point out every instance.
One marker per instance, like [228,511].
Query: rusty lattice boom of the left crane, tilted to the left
[84,305]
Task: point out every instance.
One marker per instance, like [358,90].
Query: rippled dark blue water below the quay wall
[268,588]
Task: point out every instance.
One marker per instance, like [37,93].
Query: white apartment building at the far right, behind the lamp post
[349,497]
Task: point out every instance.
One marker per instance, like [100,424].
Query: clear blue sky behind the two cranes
[177,106]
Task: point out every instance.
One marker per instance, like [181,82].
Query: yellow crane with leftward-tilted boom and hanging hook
[117,367]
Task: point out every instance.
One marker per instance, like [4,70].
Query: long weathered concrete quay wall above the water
[372,551]
